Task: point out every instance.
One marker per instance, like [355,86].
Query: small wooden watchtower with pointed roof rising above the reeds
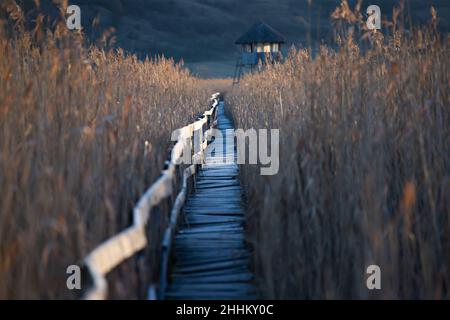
[259,46]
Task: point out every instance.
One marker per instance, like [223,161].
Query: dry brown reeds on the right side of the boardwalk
[365,170]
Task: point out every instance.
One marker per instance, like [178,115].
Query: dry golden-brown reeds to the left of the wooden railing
[83,132]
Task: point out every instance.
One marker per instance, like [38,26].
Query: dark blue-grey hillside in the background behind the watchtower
[203,31]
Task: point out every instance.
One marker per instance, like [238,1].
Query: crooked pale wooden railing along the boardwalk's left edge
[125,244]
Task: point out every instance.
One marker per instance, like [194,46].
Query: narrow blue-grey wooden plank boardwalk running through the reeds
[211,259]
